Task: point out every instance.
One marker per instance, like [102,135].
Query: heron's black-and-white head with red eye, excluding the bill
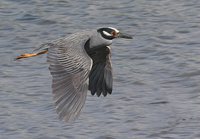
[108,33]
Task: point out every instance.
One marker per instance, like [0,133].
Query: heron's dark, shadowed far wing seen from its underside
[100,78]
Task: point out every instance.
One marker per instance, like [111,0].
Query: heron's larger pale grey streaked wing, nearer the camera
[69,66]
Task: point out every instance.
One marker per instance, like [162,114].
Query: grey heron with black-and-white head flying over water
[78,63]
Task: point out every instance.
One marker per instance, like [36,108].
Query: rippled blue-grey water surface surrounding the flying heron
[156,75]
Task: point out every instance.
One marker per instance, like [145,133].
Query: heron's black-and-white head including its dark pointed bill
[110,33]
